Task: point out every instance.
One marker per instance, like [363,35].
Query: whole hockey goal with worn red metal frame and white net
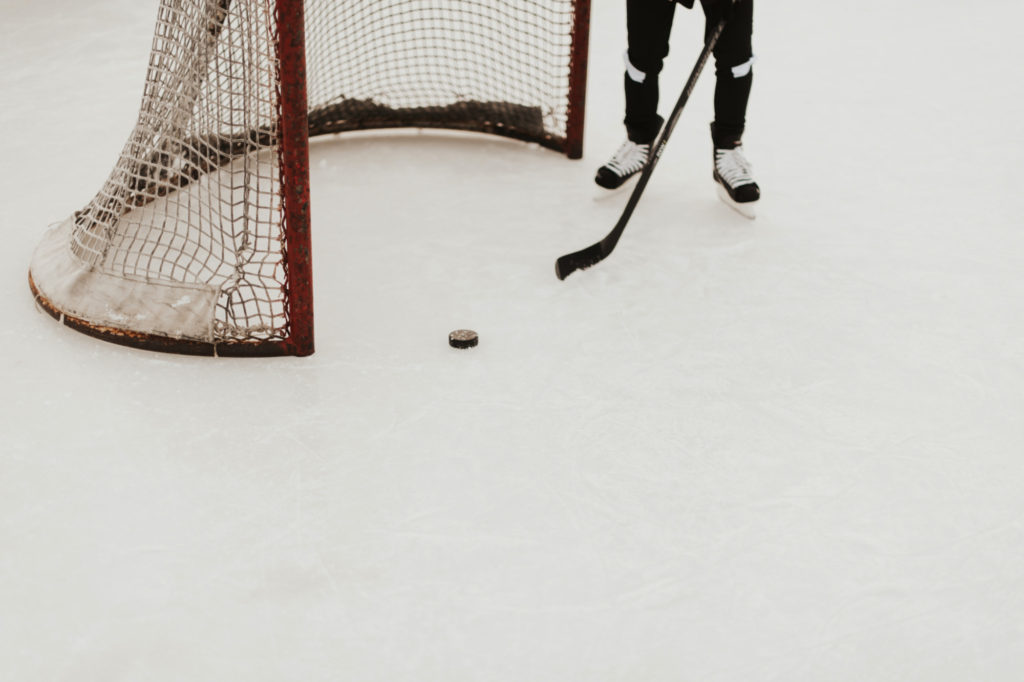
[199,242]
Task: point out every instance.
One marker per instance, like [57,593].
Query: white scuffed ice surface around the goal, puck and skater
[787,450]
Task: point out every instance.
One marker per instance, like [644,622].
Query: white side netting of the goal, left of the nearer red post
[195,197]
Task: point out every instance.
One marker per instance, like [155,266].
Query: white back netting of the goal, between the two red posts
[452,64]
